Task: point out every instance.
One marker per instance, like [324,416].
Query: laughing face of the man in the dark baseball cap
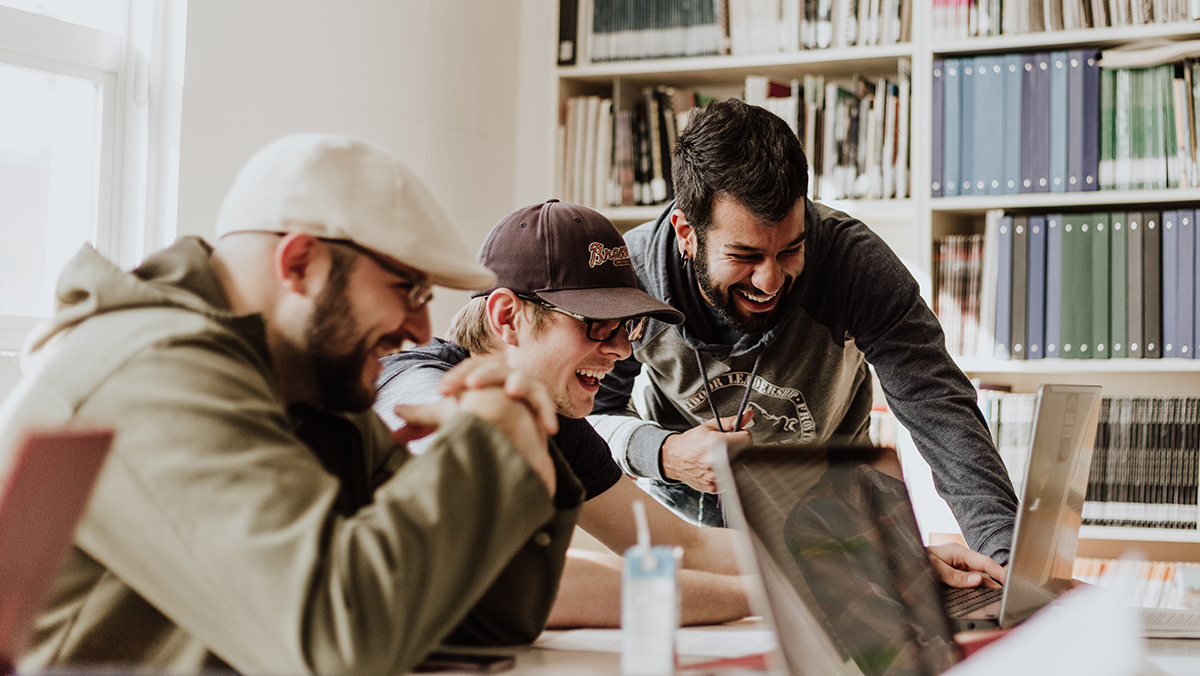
[559,354]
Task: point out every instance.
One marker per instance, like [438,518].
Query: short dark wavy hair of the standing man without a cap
[746,153]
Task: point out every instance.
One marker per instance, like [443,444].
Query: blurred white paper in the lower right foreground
[1089,631]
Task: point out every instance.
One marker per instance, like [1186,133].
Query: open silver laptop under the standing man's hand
[1047,535]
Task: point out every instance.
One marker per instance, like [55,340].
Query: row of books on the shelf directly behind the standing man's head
[617,152]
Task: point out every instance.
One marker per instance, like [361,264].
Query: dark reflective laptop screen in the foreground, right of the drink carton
[839,553]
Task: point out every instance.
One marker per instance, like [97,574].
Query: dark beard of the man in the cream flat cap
[339,375]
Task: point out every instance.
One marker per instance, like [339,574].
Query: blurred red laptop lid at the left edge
[45,486]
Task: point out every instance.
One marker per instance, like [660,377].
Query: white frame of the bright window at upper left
[140,124]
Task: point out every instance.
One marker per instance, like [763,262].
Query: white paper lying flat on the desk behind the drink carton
[689,643]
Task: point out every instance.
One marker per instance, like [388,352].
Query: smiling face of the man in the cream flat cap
[359,316]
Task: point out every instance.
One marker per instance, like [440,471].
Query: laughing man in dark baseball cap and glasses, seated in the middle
[565,310]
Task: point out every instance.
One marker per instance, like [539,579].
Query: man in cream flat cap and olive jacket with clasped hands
[255,515]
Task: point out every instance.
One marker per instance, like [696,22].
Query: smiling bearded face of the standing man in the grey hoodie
[745,268]
